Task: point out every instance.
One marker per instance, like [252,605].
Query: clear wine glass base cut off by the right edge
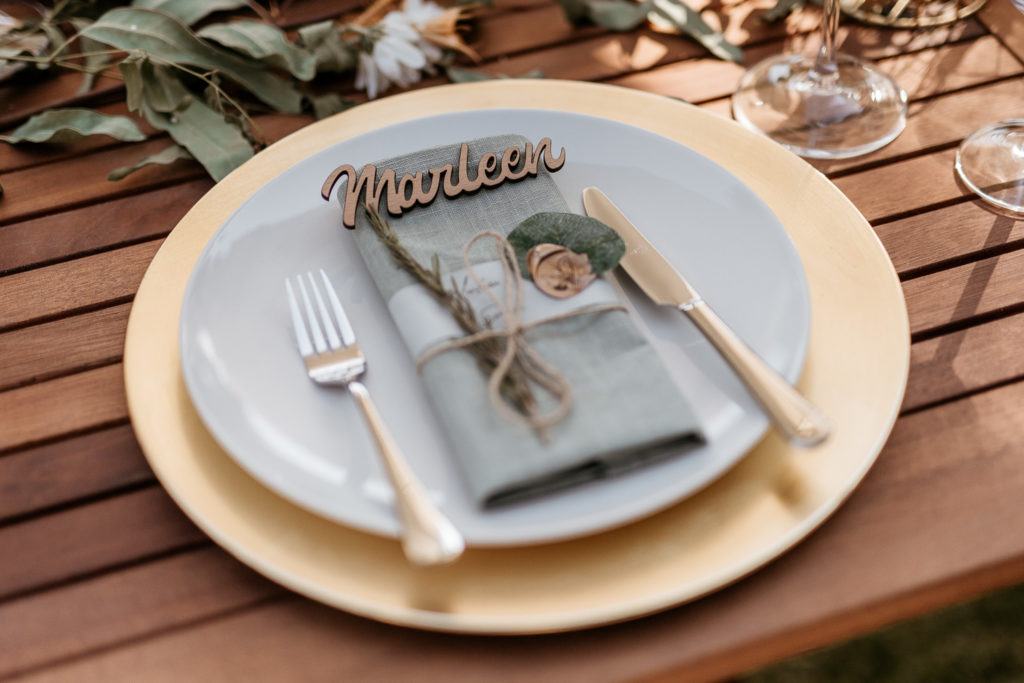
[991,162]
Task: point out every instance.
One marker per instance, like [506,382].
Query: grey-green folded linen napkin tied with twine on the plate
[626,411]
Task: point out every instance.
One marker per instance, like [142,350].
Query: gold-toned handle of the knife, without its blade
[793,415]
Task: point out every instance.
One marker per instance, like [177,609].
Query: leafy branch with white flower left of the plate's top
[201,87]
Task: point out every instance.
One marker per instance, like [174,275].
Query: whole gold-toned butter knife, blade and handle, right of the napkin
[792,414]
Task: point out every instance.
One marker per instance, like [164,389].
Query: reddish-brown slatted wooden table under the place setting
[103,578]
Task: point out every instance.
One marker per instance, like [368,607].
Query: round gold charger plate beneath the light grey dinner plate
[856,371]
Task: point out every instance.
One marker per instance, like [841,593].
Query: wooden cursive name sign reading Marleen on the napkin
[409,192]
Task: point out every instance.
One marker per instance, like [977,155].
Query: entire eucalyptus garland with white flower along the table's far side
[203,81]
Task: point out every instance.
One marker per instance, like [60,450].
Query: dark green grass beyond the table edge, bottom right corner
[982,642]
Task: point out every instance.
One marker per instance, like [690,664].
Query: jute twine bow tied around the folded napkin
[517,347]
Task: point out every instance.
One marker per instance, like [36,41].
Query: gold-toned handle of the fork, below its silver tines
[429,538]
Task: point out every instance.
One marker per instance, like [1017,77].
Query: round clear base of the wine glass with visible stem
[848,112]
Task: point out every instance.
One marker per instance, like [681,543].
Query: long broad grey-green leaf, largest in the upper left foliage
[167,39]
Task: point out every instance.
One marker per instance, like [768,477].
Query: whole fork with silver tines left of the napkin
[333,358]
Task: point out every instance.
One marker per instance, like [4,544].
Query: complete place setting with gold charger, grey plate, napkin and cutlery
[602,344]
